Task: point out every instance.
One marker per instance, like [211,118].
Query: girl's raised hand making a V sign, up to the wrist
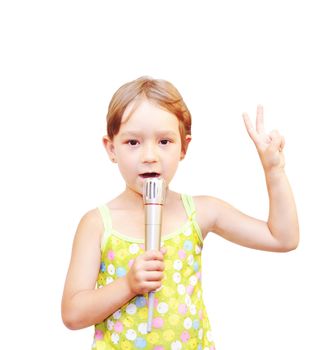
[269,146]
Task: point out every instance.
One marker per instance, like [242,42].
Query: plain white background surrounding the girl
[61,61]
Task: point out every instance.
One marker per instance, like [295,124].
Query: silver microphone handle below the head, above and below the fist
[153,219]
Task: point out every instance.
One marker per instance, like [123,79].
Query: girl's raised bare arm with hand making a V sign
[281,231]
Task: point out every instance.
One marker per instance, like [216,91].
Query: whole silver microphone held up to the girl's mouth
[153,197]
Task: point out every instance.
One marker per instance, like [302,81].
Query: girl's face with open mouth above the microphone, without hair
[148,144]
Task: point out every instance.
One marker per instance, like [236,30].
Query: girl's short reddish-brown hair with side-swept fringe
[159,91]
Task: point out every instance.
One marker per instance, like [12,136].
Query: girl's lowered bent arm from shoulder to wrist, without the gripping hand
[82,304]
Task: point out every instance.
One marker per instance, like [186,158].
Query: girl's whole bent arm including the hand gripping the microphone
[82,304]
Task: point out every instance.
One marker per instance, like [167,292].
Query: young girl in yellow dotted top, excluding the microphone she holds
[148,132]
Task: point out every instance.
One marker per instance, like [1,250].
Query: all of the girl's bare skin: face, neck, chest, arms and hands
[149,141]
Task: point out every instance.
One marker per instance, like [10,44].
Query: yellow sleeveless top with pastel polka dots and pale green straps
[180,320]
